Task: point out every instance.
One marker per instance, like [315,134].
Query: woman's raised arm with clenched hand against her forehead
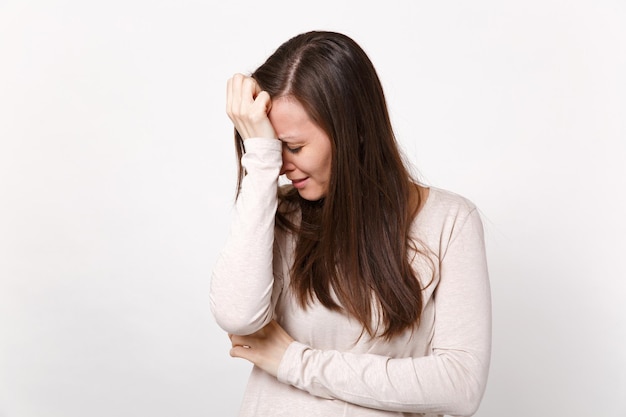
[242,280]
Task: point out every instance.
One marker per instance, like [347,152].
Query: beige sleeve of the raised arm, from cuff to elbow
[241,293]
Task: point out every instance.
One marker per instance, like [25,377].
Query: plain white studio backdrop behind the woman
[117,174]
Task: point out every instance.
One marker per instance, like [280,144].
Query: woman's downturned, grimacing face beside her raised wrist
[306,148]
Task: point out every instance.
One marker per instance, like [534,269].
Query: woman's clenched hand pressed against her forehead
[248,106]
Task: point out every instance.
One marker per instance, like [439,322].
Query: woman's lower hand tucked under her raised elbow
[264,348]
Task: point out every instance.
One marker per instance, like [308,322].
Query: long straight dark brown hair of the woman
[353,246]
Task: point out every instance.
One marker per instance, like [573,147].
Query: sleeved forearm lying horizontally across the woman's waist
[446,383]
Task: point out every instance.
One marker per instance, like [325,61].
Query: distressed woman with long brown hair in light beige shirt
[354,290]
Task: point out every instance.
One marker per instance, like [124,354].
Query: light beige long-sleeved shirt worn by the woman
[439,369]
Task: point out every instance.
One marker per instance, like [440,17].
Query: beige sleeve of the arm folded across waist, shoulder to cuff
[451,379]
